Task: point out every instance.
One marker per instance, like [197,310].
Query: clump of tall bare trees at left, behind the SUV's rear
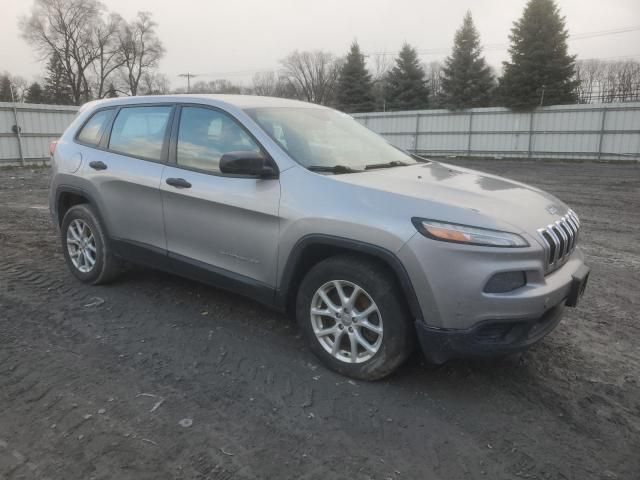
[90,53]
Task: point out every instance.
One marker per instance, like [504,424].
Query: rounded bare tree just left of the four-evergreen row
[312,75]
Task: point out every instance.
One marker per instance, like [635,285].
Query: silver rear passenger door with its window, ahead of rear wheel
[125,174]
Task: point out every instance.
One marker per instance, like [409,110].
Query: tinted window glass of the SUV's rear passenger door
[139,131]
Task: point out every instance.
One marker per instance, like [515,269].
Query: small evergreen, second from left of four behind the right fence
[406,84]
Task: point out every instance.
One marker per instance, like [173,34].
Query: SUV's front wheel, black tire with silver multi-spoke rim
[387,329]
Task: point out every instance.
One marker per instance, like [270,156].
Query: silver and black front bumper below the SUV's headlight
[449,279]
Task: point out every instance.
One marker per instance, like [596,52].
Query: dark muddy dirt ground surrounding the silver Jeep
[157,377]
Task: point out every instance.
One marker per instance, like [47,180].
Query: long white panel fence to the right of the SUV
[598,132]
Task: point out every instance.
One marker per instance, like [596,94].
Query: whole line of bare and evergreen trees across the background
[92,53]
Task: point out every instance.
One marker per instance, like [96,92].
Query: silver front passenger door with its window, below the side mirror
[224,224]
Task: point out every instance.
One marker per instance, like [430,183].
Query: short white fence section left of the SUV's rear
[39,125]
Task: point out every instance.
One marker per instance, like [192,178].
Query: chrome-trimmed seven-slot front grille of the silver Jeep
[559,240]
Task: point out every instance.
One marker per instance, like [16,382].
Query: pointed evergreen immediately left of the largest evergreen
[467,80]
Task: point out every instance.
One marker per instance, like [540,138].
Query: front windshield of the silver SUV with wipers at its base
[319,138]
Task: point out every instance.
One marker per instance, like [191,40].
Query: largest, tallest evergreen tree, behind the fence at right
[540,72]
